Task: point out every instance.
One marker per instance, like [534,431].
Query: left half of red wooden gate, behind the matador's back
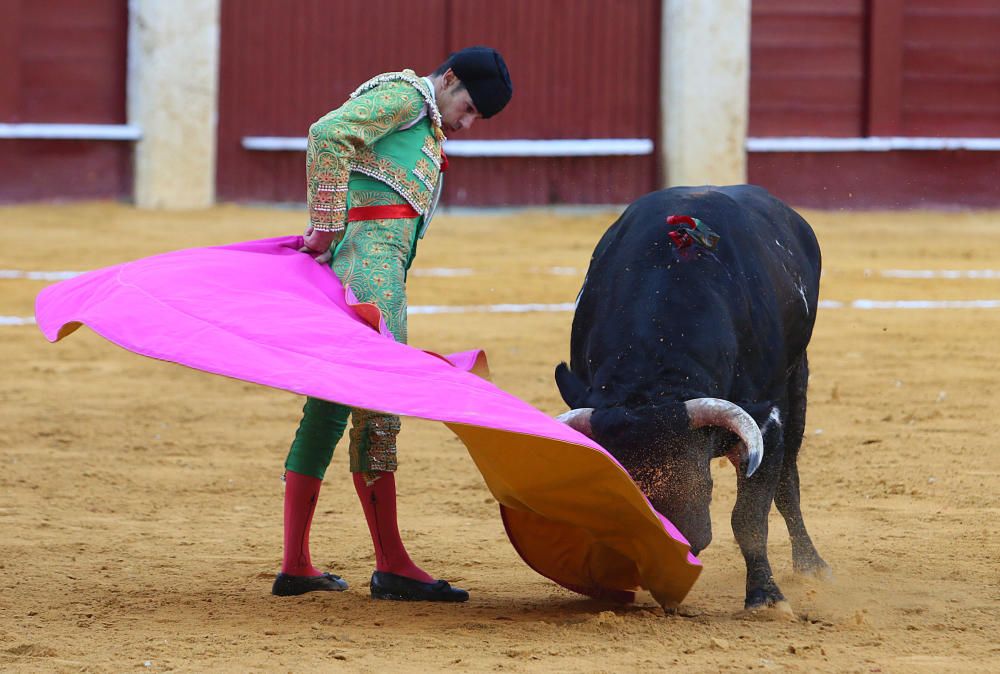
[284,65]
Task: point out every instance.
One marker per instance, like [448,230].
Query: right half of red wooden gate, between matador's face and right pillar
[580,70]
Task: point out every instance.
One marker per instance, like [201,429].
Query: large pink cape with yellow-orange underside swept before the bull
[262,312]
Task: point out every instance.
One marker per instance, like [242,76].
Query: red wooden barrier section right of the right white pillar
[876,68]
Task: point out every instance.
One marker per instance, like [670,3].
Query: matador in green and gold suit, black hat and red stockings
[374,170]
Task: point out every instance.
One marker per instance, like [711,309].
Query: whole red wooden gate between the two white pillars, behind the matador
[580,70]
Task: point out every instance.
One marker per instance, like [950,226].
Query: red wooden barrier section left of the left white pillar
[63,61]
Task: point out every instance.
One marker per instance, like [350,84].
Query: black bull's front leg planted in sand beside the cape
[749,520]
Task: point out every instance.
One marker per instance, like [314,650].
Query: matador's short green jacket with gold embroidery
[389,130]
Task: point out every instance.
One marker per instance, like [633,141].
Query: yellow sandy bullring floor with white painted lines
[140,502]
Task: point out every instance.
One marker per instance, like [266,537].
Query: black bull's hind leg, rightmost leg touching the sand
[805,559]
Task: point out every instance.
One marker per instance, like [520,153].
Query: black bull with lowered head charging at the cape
[658,324]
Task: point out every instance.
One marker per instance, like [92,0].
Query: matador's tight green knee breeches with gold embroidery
[372,260]
